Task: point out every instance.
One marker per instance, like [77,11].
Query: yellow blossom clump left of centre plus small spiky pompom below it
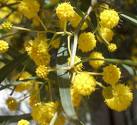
[37,49]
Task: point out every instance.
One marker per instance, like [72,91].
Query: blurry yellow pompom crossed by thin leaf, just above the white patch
[24,85]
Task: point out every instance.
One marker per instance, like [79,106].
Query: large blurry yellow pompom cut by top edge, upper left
[29,8]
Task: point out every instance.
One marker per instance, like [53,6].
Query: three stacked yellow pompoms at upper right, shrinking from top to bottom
[108,19]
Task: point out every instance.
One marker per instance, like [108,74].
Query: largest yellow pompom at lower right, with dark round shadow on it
[118,97]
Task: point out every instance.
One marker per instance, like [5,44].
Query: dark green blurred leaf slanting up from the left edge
[7,69]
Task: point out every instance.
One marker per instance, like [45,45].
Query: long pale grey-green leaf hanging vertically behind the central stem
[64,84]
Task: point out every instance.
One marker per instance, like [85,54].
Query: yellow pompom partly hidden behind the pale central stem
[76,60]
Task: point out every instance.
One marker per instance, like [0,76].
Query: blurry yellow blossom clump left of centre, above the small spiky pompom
[38,51]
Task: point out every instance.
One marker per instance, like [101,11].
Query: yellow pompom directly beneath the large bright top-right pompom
[106,33]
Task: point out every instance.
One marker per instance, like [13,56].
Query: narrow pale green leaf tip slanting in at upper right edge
[130,18]
